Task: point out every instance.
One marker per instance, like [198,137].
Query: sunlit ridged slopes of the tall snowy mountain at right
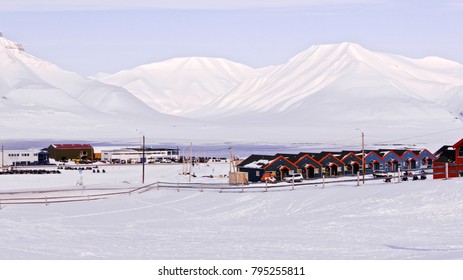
[350,76]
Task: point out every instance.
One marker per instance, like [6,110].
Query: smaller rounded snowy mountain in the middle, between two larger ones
[180,85]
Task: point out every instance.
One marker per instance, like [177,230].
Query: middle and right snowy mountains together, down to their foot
[322,93]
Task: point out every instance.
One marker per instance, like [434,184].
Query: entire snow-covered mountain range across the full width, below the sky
[321,94]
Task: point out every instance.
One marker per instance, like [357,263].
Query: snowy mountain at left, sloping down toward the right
[39,99]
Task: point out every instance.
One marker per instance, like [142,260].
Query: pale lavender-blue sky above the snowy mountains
[108,36]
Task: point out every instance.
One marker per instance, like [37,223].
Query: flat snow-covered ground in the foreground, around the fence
[410,220]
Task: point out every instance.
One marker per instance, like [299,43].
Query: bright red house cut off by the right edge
[449,161]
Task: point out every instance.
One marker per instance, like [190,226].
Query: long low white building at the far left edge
[24,157]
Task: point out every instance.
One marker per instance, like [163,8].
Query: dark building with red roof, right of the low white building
[65,152]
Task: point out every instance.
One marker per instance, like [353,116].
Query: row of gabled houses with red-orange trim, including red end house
[315,165]
